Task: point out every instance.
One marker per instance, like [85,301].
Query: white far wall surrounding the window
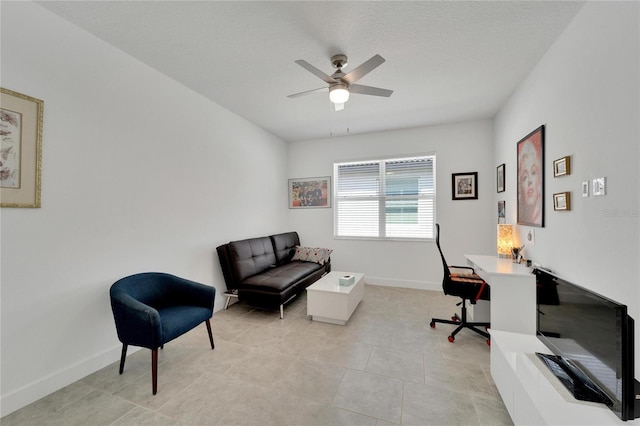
[467,226]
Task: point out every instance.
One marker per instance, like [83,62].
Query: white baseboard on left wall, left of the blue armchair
[52,382]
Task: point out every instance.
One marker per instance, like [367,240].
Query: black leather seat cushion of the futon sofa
[279,278]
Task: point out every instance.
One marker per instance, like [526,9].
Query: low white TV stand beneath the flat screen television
[531,393]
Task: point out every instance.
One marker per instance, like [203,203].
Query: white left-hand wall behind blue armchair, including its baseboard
[138,174]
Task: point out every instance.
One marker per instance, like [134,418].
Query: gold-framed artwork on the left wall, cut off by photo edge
[20,149]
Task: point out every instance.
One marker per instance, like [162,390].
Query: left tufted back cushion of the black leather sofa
[251,257]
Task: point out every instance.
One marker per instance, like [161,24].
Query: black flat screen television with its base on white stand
[591,339]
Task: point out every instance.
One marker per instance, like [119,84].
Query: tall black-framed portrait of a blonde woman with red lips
[531,179]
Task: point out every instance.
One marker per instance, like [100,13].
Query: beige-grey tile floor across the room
[385,367]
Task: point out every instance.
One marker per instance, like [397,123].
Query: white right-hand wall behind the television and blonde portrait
[586,91]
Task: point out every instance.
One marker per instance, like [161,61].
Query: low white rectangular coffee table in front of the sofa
[328,301]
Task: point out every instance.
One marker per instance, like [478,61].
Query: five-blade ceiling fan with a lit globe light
[341,84]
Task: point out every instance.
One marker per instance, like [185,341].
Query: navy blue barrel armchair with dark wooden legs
[153,308]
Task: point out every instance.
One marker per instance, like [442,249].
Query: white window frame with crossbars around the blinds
[382,198]
